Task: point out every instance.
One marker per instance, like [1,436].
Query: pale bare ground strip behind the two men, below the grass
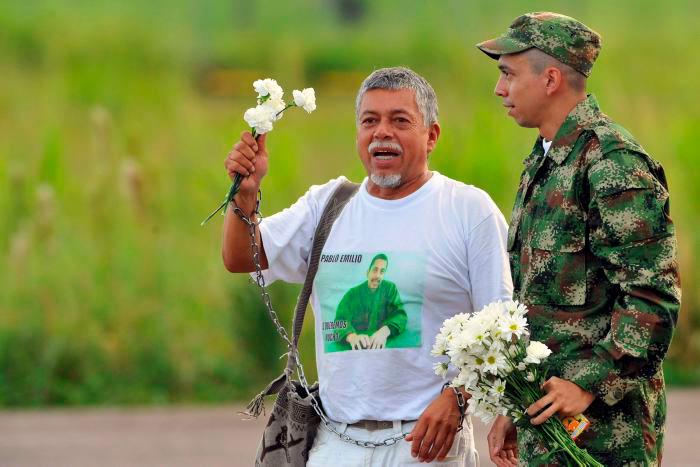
[214,436]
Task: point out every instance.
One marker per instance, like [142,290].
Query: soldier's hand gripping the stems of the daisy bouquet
[563,398]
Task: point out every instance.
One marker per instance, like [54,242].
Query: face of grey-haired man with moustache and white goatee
[392,140]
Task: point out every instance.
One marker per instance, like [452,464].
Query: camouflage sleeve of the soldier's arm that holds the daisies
[632,235]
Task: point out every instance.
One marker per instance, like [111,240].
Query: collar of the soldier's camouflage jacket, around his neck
[580,118]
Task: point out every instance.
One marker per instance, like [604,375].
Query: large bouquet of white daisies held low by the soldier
[503,370]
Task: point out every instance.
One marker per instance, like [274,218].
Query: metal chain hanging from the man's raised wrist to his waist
[293,352]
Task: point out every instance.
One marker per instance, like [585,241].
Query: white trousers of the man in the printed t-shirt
[330,450]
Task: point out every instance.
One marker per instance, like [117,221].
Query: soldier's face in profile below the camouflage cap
[522,90]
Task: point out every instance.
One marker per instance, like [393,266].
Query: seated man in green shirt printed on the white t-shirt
[373,310]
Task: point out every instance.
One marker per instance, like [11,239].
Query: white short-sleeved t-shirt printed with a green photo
[446,254]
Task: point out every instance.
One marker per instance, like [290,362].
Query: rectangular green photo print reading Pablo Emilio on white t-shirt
[370,300]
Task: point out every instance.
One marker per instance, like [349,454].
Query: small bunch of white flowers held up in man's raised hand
[269,109]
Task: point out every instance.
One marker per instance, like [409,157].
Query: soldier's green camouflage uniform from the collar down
[593,255]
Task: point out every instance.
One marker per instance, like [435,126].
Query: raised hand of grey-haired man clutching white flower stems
[248,158]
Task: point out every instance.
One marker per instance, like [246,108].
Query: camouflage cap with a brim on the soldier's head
[564,38]
